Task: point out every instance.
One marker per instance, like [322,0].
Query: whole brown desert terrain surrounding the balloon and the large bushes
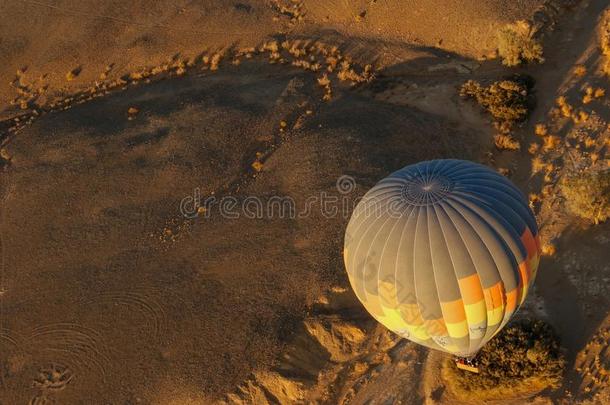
[118,118]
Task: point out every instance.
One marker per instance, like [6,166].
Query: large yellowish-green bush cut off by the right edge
[587,195]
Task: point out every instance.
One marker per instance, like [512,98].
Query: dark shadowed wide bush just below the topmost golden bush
[506,100]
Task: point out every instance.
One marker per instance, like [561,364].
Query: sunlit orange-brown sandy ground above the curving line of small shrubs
[114,38]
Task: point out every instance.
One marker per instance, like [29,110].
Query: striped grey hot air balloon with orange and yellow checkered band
[443,253]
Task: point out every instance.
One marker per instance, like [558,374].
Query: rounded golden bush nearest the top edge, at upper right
[516,44]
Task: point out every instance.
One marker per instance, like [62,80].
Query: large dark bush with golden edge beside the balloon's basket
[524,357]
